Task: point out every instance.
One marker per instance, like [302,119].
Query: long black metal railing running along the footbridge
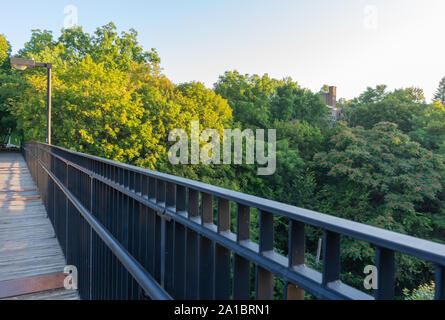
[136,234]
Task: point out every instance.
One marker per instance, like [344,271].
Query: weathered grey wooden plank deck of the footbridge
[28,247]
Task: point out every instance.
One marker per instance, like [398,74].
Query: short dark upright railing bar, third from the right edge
[331,257]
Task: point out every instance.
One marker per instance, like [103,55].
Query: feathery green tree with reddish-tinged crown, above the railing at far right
[399,175]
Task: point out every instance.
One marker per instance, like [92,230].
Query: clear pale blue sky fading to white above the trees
[348,43]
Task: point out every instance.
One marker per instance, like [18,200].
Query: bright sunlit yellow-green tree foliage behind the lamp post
[109,97]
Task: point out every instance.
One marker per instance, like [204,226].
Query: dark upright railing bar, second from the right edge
[385,268]
